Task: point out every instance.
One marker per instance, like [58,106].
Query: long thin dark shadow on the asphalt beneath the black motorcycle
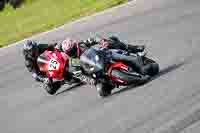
[162,72]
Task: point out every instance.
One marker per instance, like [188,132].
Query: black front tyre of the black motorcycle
[104,89]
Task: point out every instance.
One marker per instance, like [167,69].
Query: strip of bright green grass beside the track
[41,15]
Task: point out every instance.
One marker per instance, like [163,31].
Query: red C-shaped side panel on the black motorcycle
[117,65]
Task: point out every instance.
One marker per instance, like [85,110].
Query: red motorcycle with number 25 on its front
[55,66]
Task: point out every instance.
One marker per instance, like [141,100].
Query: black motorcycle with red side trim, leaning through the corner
[108,72]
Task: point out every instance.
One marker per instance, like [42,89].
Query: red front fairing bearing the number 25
[53,63]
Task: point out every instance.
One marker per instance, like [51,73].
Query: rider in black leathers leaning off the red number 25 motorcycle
[31,52]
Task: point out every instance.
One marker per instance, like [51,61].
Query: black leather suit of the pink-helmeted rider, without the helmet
[113,43]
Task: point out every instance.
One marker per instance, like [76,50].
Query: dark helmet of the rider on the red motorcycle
[30,48]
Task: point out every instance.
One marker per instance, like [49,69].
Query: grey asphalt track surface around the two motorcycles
[167,104]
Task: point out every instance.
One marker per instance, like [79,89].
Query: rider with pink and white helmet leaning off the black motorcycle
[75,49]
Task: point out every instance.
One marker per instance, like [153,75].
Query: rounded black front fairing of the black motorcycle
[93,61]
